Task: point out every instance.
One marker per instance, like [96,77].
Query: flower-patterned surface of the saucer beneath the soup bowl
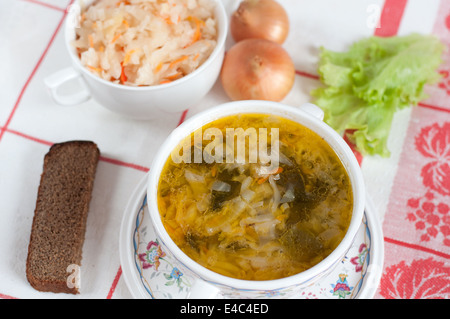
[161,279]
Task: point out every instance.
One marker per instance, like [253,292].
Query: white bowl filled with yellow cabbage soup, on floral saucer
[255,198]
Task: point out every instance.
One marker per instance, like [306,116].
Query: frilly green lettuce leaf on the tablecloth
[365,86]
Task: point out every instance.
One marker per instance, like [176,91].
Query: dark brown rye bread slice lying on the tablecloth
[59,222]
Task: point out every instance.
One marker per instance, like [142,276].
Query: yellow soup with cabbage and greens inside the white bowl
[253,220]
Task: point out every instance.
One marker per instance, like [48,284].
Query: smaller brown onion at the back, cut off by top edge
[262,19]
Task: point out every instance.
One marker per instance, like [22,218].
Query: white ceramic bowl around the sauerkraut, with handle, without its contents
[139,102]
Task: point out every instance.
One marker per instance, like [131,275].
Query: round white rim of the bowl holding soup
[263,107]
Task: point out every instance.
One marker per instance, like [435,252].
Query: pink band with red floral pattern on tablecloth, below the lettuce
[418,215]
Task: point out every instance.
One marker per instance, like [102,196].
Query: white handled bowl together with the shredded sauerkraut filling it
[136,57]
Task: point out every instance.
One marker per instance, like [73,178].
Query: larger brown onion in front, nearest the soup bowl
[257,69]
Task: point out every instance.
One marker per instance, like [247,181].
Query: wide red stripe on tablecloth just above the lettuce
[390,18]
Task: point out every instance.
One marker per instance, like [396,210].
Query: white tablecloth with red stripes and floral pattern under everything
[32,48]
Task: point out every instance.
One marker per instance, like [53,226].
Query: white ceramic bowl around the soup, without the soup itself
[209,283]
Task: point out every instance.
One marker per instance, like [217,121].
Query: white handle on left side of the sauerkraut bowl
[54,81]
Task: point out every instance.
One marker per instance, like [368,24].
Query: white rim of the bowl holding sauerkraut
[221,18]
